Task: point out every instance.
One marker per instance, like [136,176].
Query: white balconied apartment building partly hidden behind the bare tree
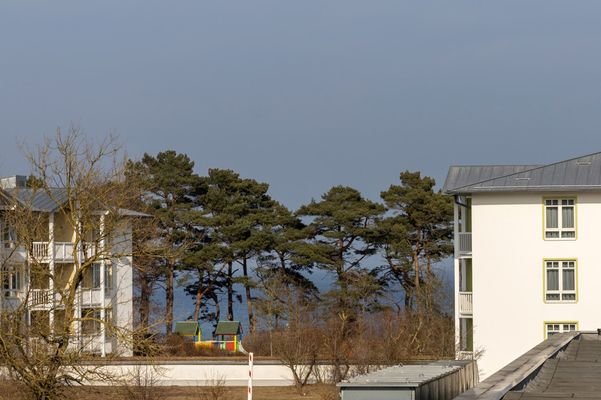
[105,293]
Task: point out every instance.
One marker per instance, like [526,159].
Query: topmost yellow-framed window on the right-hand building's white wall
[560,219]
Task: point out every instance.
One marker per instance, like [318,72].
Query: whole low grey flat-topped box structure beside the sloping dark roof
[429,380]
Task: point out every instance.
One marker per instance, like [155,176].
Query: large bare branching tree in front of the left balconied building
[75,197]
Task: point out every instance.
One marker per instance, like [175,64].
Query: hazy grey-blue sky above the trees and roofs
[307,94]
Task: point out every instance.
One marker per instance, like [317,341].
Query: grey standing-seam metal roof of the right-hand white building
[576,174]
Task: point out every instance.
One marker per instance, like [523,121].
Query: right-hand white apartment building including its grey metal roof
[527,255]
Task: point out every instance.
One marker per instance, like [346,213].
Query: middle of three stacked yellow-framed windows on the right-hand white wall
[560,280]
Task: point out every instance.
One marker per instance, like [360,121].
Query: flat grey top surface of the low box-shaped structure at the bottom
[405,375]
